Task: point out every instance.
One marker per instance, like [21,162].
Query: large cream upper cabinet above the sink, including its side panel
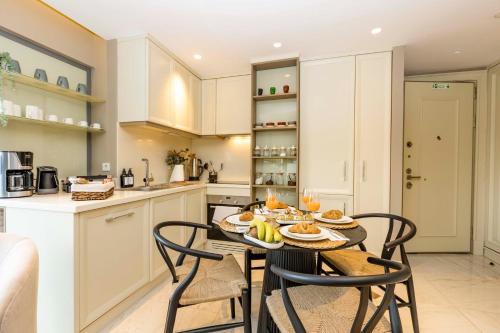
[154,87]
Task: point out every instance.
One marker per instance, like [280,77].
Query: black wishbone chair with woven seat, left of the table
[209,277]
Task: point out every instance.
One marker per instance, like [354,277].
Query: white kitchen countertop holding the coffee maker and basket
[61,202]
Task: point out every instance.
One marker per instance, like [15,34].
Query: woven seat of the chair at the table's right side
[352,262]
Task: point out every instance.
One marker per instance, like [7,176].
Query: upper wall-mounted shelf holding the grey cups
[48,87]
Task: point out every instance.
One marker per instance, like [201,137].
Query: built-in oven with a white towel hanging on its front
[220,206]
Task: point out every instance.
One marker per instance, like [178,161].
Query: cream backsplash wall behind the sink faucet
[135,143]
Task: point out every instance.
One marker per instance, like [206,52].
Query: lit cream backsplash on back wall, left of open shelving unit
[234,152]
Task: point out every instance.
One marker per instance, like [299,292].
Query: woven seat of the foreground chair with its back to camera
[321,309]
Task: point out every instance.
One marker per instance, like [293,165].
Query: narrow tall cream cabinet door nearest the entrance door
[373,139]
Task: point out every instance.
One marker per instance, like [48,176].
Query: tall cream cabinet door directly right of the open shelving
[327,124]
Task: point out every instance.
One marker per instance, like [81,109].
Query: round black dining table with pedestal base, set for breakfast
[293,258]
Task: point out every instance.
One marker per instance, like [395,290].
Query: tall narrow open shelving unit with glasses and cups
[277,107]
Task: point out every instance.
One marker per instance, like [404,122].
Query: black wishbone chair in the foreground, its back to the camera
[324,304]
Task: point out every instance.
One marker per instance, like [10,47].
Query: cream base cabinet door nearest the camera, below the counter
[114,257]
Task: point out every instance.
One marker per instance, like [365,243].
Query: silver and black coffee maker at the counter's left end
[16,175]
